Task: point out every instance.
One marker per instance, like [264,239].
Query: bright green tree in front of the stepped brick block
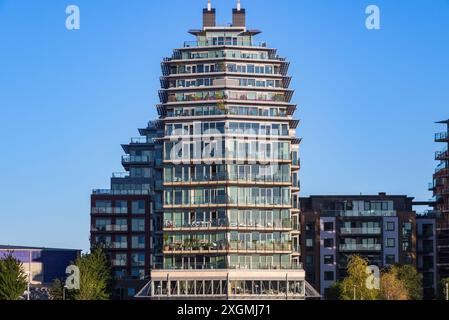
[95,276]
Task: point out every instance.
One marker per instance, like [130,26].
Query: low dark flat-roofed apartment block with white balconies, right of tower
[380,228]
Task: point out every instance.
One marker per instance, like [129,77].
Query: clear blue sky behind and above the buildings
[368,99]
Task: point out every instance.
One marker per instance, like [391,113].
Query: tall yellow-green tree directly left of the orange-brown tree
[354,287]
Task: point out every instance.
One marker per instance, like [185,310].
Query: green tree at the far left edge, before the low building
[13,280]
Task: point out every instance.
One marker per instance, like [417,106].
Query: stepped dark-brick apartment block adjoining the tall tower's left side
[127,218]
